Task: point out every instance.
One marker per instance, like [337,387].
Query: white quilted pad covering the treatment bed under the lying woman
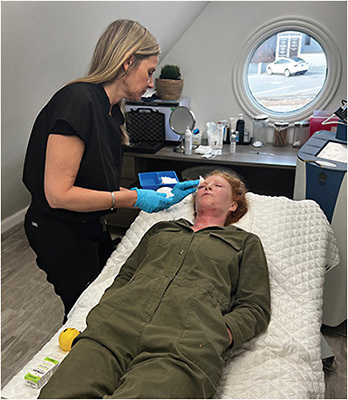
[285,361]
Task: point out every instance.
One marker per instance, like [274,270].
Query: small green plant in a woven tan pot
[169,85]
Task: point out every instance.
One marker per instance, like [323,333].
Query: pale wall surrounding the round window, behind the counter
[209,49]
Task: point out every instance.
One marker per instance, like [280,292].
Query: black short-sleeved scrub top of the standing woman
[80,109]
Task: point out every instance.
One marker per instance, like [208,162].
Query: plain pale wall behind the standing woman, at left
[47,44]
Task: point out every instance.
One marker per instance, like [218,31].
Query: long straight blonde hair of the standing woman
[122,39]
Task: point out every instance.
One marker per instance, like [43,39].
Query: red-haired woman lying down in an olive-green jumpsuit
[185,295]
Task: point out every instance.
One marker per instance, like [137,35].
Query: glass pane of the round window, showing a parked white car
[280,57]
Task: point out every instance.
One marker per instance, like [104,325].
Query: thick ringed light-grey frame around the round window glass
[307,26]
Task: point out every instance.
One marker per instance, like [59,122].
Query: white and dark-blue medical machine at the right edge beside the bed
[321,175]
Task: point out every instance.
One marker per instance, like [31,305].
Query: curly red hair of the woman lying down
[238,190]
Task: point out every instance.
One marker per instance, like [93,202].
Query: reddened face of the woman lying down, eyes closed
[215,193]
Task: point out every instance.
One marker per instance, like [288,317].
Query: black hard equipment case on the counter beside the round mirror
[146,129]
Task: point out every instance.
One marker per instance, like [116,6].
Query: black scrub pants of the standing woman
[71,253]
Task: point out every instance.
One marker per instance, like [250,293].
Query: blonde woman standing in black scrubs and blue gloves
[74,159]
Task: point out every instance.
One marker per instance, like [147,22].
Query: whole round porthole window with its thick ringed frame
[287,69]
